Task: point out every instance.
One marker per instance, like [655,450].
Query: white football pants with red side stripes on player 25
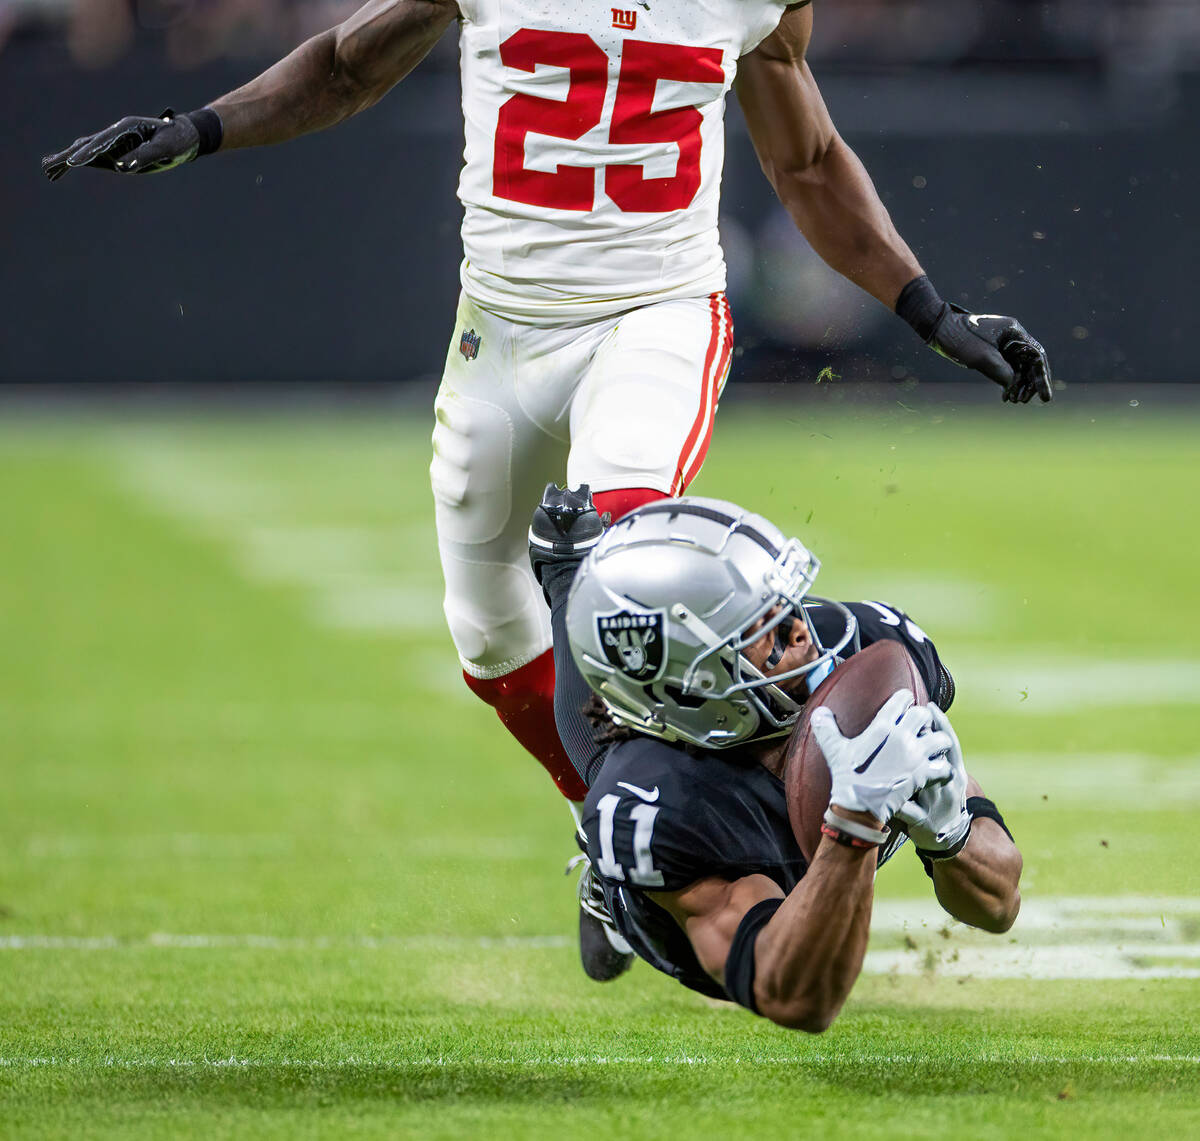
[621,403]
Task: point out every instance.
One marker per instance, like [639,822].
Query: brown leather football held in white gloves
[855,692]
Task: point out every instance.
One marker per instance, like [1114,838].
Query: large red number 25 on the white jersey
[643,65]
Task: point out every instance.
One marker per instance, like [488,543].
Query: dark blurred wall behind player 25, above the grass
[1047,191]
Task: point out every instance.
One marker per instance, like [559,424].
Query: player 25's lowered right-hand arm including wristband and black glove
[833,202]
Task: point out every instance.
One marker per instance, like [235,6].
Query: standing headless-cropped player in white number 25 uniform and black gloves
[593,338]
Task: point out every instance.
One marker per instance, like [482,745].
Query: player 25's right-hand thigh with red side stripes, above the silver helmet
[644,417]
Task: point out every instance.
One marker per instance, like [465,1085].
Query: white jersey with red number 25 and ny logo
[595,148]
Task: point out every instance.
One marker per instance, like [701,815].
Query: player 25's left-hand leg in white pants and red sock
[496,445]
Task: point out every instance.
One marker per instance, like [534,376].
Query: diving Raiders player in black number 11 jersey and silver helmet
[687,645]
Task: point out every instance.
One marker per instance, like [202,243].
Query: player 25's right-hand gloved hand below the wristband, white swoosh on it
[997,346]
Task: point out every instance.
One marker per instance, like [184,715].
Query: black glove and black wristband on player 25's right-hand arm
[997,346]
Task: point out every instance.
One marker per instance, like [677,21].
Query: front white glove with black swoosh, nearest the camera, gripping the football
[895,756]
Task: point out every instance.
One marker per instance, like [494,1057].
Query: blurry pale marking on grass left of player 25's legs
[362,579]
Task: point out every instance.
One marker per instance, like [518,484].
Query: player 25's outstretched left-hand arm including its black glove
[328,79]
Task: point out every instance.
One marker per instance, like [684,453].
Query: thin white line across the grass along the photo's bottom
[801,1060]
